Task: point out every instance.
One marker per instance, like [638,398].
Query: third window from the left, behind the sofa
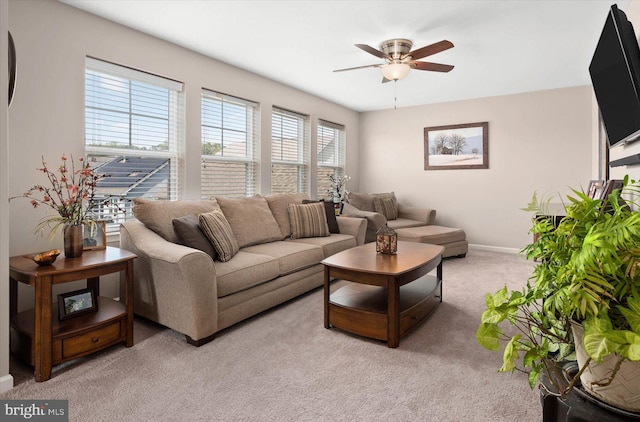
[289,152]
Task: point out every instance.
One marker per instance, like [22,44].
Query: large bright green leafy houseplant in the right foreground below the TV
[587,275]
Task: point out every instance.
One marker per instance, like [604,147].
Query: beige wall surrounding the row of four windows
[47,114]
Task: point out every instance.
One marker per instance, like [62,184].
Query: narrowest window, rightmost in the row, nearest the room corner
[331,156]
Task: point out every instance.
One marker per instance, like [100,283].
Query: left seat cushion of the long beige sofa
[245,270]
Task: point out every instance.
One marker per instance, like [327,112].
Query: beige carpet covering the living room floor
[283,365]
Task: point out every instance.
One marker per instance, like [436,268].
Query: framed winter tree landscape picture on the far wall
[452,147]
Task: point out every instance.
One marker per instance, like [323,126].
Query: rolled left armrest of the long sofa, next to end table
[174,285]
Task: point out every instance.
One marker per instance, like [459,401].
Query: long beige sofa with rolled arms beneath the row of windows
[186,289]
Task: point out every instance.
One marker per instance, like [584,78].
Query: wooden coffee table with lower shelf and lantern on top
[388,295]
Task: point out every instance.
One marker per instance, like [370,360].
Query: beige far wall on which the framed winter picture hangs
[538,141]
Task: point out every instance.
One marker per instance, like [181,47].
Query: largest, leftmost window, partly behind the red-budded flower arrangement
[133,134]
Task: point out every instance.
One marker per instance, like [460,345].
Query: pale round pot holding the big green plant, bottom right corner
[624,390]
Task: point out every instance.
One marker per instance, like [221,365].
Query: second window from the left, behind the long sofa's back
[229,138]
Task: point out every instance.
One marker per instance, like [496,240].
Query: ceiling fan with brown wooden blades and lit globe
[399,59]
